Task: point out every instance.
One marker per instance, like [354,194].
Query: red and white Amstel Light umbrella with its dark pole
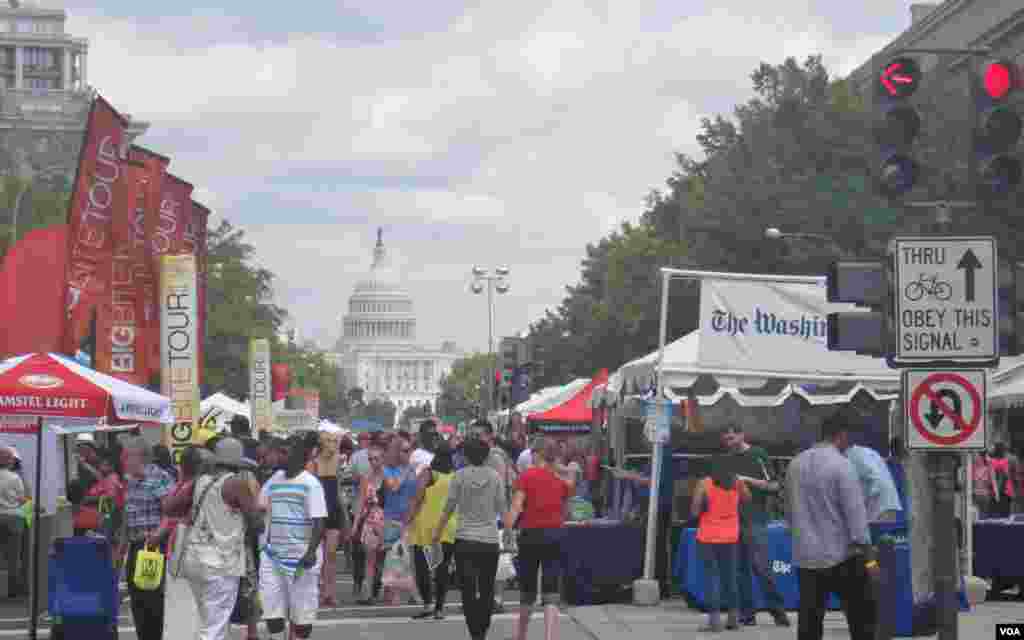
[47,386]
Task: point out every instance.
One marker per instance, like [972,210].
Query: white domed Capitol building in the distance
[377,351]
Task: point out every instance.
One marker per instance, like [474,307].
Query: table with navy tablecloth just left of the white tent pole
[600,559]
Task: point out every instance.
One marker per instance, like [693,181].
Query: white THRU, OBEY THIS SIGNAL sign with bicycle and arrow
[946,301]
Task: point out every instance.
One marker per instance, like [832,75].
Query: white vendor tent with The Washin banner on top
[758,361]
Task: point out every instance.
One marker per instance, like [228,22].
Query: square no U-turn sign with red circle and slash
[946,410]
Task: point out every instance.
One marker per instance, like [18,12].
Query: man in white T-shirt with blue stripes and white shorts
[291,559]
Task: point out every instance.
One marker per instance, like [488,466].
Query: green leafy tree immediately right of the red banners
[239,309]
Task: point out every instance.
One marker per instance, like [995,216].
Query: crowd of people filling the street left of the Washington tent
[268,518]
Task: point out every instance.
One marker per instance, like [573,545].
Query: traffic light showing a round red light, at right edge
[997,130]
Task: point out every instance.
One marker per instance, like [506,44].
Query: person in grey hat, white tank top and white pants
[217,559]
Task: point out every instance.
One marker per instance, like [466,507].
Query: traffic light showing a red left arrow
[897,126]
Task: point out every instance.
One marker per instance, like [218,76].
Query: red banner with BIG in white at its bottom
[117,321]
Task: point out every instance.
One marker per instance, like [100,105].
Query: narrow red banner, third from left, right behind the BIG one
[147,219]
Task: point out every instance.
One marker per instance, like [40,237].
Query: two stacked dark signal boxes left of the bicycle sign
[867,285]
